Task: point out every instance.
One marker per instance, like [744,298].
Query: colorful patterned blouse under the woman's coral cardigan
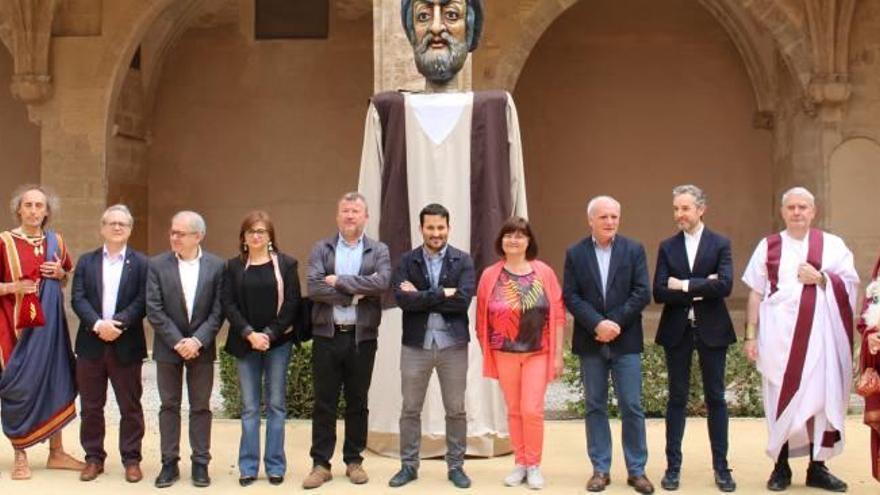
[518,312]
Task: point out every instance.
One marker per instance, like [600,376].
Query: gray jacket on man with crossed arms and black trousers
[371,282]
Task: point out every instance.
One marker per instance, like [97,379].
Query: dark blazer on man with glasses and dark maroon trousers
[87,302]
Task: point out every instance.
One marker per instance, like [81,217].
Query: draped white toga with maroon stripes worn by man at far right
[822,390]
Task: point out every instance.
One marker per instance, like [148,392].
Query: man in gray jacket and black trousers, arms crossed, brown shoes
[348,274]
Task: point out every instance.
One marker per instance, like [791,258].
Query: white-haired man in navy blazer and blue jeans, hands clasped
[606,287]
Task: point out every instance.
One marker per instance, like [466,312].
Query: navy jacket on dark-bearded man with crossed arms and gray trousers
[456,272]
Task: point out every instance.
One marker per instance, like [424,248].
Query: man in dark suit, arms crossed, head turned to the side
[694,274]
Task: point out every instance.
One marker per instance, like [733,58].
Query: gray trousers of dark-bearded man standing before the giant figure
[416,367]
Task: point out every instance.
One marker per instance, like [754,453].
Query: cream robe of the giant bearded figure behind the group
[438,142]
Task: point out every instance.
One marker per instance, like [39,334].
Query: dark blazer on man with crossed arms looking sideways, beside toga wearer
[713,322]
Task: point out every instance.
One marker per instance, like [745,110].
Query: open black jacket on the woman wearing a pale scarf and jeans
[279,330]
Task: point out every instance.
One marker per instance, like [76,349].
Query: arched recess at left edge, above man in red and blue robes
[19,138]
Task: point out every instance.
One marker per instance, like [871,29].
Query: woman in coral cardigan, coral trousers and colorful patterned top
[520,315]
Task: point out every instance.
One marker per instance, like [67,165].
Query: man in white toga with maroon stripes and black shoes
[804,287]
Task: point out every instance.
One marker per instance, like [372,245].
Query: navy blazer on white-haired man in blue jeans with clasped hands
[628,292]
